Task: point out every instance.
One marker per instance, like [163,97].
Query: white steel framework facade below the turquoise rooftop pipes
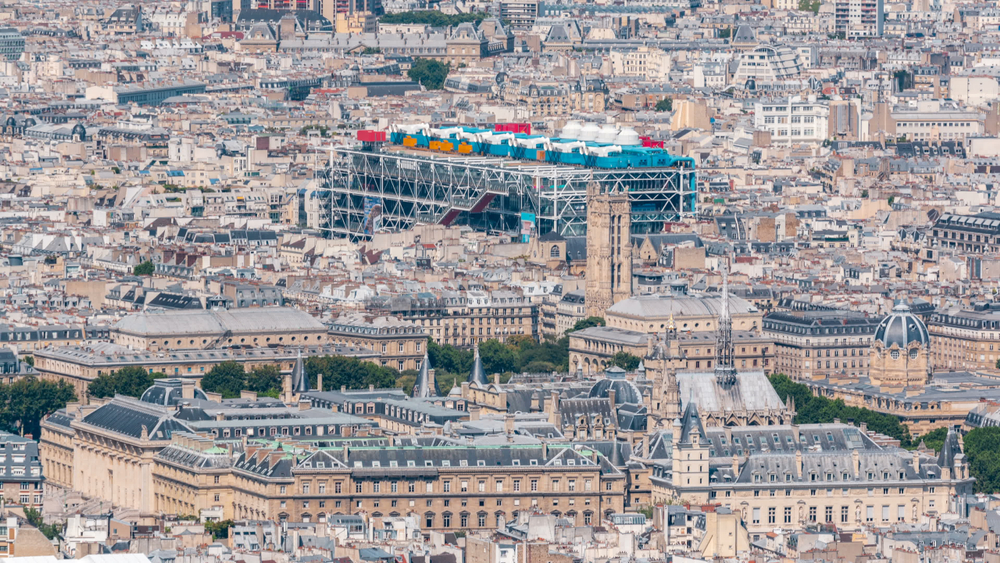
[371,191]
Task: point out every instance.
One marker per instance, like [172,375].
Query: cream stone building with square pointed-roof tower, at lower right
[797,475]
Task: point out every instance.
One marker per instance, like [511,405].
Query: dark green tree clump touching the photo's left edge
[24,403]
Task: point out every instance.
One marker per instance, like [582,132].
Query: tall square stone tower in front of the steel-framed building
[609,249]
